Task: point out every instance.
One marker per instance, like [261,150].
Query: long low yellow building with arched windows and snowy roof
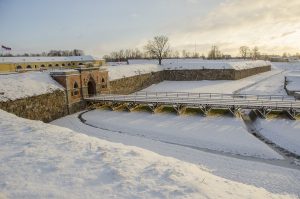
[19,64]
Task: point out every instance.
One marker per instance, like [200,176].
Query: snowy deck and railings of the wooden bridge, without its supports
[218,100]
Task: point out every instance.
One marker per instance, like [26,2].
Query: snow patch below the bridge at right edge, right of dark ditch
[284,133]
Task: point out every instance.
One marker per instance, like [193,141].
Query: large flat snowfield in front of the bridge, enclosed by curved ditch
[224,134]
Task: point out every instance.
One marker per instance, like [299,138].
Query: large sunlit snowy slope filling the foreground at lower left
[39,160]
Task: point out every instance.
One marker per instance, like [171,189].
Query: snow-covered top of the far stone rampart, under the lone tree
[137,67]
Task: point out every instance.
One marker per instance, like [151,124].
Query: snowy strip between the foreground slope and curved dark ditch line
[276,179]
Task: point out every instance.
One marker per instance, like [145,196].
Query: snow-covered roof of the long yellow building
[84,58]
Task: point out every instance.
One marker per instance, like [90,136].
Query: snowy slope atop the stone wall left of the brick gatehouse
[22,85]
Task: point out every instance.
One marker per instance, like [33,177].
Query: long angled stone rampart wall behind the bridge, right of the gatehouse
[136,83]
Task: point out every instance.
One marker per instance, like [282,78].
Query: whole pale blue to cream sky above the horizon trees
[101,26]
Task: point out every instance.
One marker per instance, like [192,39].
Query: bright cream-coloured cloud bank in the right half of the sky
[261,23]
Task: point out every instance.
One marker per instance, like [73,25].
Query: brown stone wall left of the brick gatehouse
[47,107]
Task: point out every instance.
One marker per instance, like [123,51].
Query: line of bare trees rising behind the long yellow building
[51,53]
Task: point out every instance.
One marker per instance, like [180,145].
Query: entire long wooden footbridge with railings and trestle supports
[262,104]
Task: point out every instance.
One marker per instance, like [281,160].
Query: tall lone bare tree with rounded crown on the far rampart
[158,47]
